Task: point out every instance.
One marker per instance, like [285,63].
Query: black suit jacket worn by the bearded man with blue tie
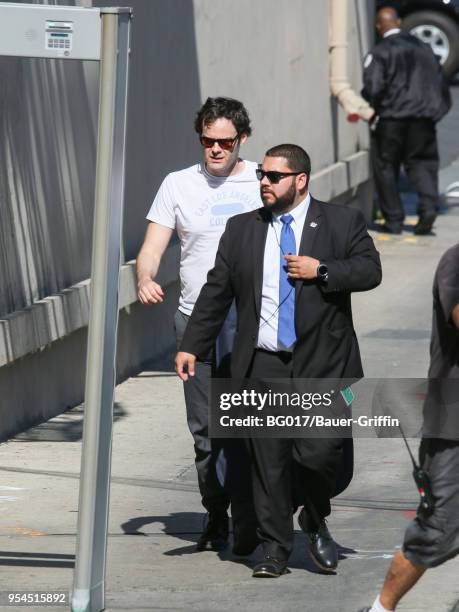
[326,344]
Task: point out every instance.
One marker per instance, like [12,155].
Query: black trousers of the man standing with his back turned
[413,143]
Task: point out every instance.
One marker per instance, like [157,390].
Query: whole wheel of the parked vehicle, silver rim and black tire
[440,32]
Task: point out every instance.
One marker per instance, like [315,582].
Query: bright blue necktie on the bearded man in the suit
[286,326]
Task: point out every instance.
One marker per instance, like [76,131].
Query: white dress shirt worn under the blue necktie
[269,314]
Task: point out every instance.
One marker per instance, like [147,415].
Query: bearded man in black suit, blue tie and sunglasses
[291,267]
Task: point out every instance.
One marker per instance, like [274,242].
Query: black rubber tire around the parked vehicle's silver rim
[449,29]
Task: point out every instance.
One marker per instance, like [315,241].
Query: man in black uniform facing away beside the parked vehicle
[404,83]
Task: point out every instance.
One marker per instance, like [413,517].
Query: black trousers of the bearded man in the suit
[289,472]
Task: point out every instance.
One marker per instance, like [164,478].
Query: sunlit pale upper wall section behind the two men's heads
[276,60]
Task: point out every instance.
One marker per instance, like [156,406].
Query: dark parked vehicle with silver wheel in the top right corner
[435,22]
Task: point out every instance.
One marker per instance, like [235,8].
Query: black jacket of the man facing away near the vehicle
[403,80]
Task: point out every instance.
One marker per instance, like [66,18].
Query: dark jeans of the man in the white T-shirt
[196,389]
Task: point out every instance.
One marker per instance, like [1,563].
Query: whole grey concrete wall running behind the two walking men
[273,57]
